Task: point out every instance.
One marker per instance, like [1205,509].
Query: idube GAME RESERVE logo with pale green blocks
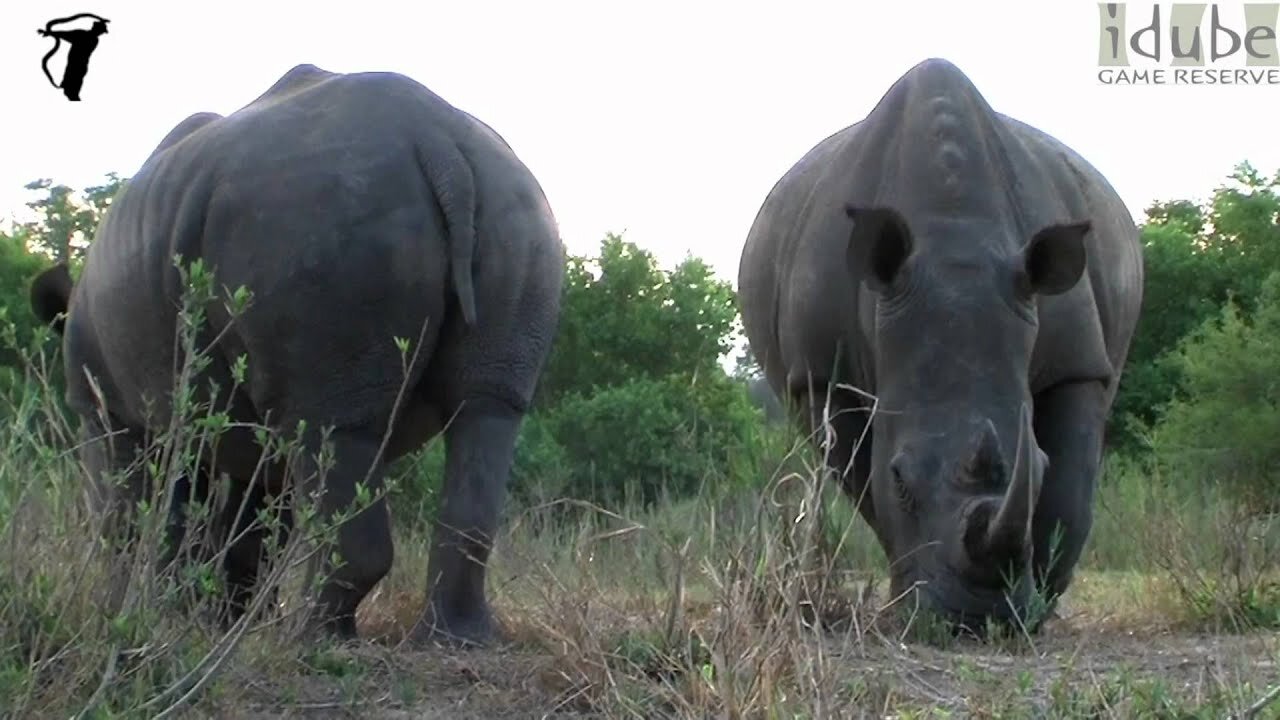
[1190,44]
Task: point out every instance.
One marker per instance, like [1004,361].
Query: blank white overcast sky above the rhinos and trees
[666,121]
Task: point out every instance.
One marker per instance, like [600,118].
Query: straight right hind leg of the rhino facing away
[481,444]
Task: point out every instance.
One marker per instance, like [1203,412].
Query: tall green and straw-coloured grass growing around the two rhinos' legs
[767,603]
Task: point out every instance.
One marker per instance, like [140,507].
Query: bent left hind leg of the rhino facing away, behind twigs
[364,539]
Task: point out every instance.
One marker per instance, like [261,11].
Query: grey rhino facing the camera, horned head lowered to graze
[958,266]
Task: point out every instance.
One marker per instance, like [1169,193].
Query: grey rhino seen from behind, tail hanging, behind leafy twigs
[356,208]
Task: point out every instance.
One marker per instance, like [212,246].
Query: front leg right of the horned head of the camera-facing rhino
[1069,425]
